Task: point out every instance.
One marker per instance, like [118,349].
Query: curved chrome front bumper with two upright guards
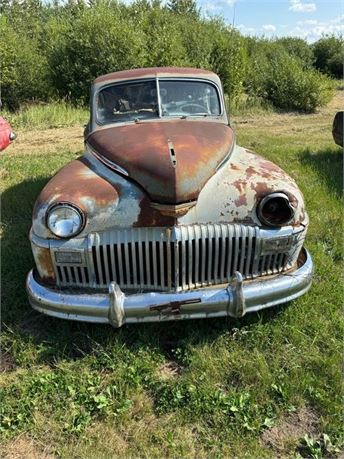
[116,308]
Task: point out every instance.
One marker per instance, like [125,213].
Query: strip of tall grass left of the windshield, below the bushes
[47,116]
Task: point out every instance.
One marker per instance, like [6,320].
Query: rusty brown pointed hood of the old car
[171,160]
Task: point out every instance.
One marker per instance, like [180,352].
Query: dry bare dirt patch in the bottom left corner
[24,447]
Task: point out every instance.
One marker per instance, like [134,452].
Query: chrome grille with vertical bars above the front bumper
[179,258]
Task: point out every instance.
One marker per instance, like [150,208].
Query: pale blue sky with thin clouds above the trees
[308,19]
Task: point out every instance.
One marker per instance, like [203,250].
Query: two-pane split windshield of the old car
[132,101]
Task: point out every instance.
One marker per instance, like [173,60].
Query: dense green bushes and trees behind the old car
[53,50]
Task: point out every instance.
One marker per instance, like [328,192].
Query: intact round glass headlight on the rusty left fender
[64,220]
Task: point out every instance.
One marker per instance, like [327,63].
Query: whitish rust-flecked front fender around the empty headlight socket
[232,194]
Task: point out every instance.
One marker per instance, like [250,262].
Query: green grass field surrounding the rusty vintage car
[268,385]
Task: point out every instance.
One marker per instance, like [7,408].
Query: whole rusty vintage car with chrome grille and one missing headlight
[164,216]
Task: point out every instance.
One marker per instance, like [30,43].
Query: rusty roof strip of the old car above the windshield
[154,72]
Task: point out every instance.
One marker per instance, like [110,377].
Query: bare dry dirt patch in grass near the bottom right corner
[290,429]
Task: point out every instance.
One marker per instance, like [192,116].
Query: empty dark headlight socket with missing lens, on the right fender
[275,210]
